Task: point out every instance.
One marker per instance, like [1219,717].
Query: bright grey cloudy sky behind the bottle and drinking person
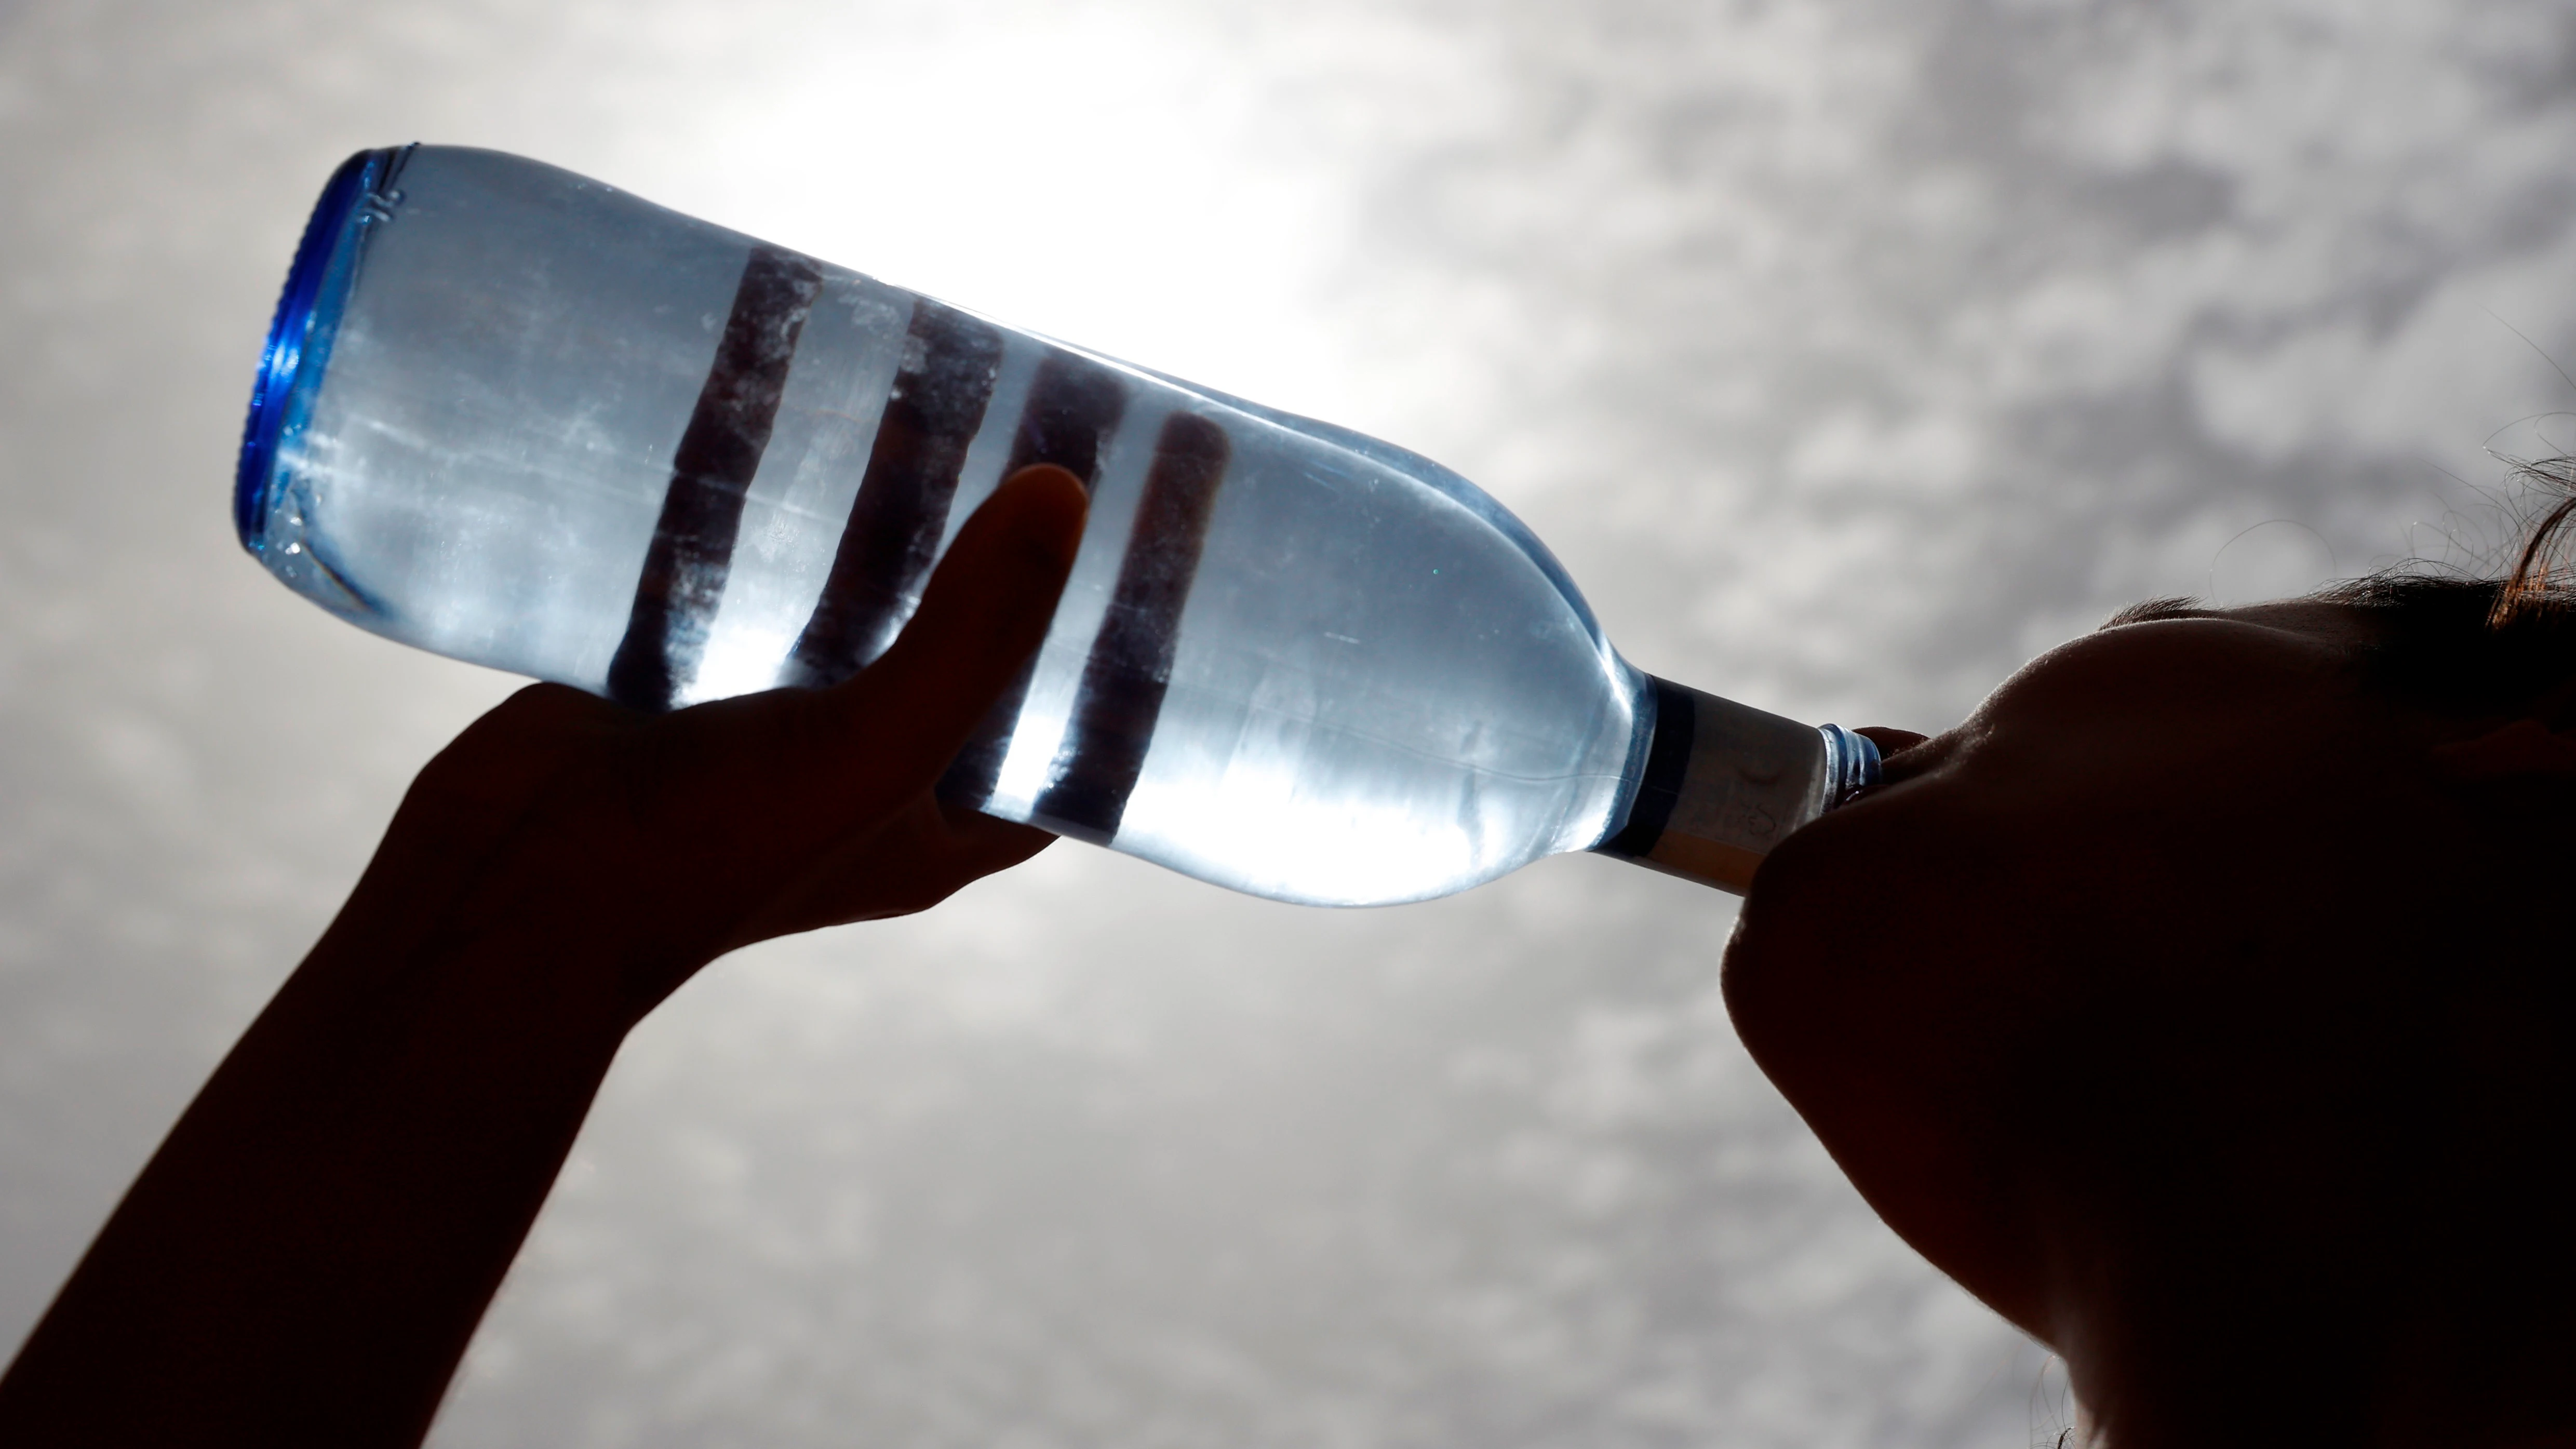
[1848,352]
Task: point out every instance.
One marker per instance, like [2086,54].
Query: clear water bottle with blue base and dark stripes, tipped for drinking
[532,422]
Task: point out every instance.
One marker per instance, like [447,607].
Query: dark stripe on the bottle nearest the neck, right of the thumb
[1130,666]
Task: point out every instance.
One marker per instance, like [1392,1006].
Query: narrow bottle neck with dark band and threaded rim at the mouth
[1727,783]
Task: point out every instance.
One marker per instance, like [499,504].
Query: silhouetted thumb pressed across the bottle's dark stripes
[983,618]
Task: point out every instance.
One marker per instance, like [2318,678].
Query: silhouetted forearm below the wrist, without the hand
[313,1247]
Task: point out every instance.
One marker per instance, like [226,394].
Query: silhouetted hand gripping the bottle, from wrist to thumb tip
[650,844]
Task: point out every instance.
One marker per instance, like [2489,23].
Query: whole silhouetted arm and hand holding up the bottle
[313,1247]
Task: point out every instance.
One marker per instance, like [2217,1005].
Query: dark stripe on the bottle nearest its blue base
[712,471]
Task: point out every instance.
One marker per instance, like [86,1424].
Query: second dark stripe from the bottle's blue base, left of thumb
[934,414]
